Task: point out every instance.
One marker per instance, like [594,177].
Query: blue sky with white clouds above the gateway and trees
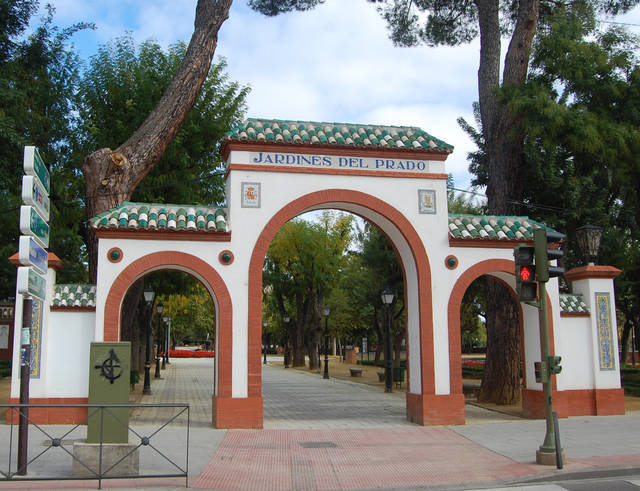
[332,64]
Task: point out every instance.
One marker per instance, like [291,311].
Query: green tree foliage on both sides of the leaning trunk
[123,84]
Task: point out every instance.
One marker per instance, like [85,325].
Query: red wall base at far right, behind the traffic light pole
[584,402]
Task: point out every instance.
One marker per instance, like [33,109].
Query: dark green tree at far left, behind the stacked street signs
[38,81]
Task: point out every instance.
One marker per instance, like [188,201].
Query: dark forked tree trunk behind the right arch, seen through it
[501,380]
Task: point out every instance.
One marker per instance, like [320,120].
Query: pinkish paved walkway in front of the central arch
[353,459]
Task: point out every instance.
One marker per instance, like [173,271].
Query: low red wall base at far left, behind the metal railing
[52,415]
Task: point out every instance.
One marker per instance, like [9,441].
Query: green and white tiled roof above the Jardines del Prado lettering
[337,134]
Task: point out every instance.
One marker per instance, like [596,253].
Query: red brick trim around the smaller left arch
[200,270]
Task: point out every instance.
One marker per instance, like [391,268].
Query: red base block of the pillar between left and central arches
[237,412]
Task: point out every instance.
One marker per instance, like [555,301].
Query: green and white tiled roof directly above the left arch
[150,216]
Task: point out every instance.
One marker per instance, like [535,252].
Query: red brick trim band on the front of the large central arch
[335,197]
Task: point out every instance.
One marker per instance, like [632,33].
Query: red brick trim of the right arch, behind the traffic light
[453,313]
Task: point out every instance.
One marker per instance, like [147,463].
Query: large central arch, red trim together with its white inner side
[415,263]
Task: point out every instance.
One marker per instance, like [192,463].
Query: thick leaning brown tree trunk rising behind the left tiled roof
[112,175]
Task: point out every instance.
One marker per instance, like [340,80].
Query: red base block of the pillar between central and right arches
[431,409]
